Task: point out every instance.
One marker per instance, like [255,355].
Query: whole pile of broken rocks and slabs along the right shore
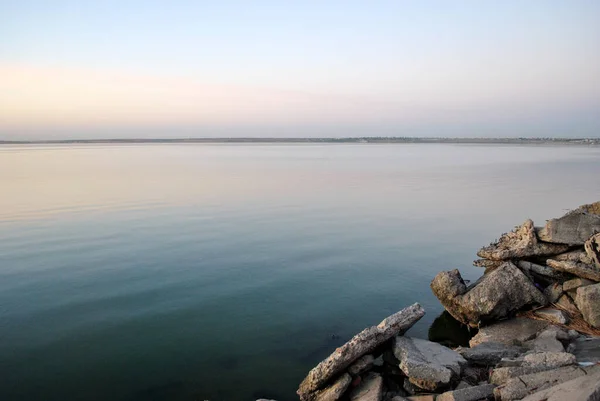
[534,315]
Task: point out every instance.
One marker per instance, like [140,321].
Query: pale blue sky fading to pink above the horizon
[158,69]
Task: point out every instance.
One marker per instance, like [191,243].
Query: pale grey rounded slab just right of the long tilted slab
[427,364]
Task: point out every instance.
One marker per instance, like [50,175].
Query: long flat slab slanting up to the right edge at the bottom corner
[521,386]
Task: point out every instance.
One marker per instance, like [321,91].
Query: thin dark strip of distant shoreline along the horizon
[537,141]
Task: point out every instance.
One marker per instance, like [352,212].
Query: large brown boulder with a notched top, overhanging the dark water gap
[496,295]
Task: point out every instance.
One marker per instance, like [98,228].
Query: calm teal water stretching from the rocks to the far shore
[225,272]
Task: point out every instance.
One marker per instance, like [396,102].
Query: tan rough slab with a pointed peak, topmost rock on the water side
[520,243]
